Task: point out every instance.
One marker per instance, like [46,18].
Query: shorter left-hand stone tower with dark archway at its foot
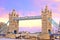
[13,24]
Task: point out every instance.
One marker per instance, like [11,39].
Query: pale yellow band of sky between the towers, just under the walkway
[29,23]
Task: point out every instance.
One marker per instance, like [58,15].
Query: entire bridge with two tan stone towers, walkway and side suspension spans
[46,18]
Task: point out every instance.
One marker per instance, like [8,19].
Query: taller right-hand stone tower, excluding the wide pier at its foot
[46,25]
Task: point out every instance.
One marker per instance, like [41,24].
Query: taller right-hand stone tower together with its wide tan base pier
[46,25]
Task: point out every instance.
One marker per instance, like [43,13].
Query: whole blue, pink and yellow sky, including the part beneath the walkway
[29,8]
